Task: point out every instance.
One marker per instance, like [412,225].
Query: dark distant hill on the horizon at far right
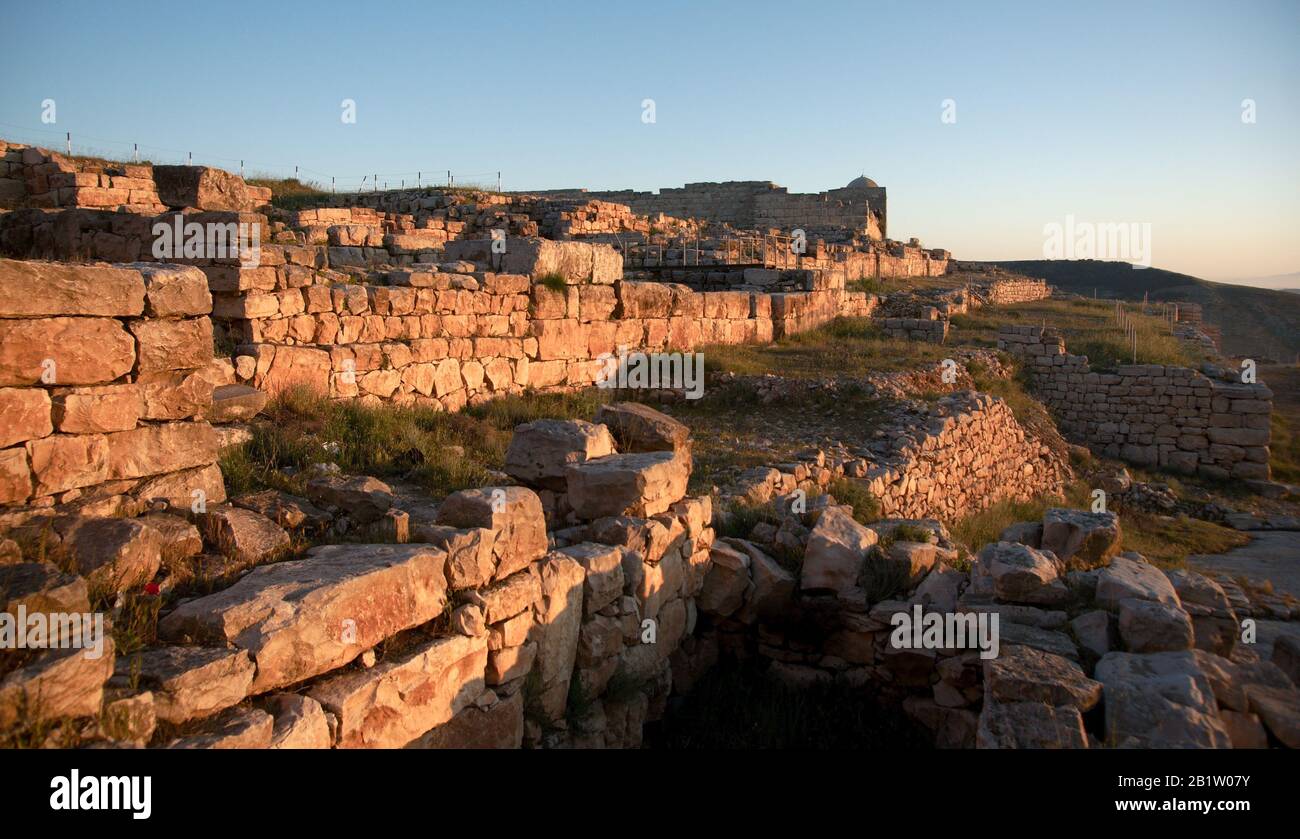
[1256,323]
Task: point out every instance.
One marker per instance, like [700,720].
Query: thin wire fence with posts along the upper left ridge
[124,152]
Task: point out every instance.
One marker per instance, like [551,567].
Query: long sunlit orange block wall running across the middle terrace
[458,332]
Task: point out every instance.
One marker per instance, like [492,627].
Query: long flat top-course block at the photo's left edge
[36,289]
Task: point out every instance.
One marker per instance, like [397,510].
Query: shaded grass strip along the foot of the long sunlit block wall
[437,451]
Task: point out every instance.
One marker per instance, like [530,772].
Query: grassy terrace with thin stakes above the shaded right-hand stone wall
[1089,328]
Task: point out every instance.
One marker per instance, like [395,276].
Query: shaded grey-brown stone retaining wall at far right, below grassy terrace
[1150,414]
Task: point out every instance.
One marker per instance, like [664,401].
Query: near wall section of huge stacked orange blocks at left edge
[106,378]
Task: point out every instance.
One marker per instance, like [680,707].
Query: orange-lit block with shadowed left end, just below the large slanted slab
[189,682]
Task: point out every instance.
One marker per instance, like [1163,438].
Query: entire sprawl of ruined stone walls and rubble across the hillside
[574,606]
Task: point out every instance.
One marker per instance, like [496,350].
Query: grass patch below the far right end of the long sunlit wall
[847,347]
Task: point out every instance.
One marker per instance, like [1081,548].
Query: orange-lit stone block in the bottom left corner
[59,684]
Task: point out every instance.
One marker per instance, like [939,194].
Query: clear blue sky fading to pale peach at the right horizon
[987,123]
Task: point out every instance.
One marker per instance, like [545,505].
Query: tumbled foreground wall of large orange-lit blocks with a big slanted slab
[470,628]
